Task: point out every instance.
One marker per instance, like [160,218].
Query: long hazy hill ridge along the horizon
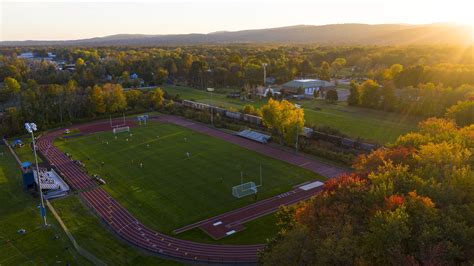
[382,34]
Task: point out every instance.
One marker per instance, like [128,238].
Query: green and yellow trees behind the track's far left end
[55,105]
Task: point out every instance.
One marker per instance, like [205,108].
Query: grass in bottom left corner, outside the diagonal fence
[18,210]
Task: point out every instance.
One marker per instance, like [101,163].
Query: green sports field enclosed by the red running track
[172,190]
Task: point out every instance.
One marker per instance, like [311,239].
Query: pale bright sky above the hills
[78,19]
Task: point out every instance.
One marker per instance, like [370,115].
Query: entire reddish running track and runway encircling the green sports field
[129,228]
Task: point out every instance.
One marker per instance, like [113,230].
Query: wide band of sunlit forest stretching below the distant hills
[239,65]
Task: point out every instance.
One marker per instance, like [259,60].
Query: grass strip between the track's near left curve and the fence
[89,233]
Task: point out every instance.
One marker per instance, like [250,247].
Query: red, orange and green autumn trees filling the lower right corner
[409,204]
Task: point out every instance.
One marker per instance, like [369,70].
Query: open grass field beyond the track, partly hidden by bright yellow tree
[375,125]
